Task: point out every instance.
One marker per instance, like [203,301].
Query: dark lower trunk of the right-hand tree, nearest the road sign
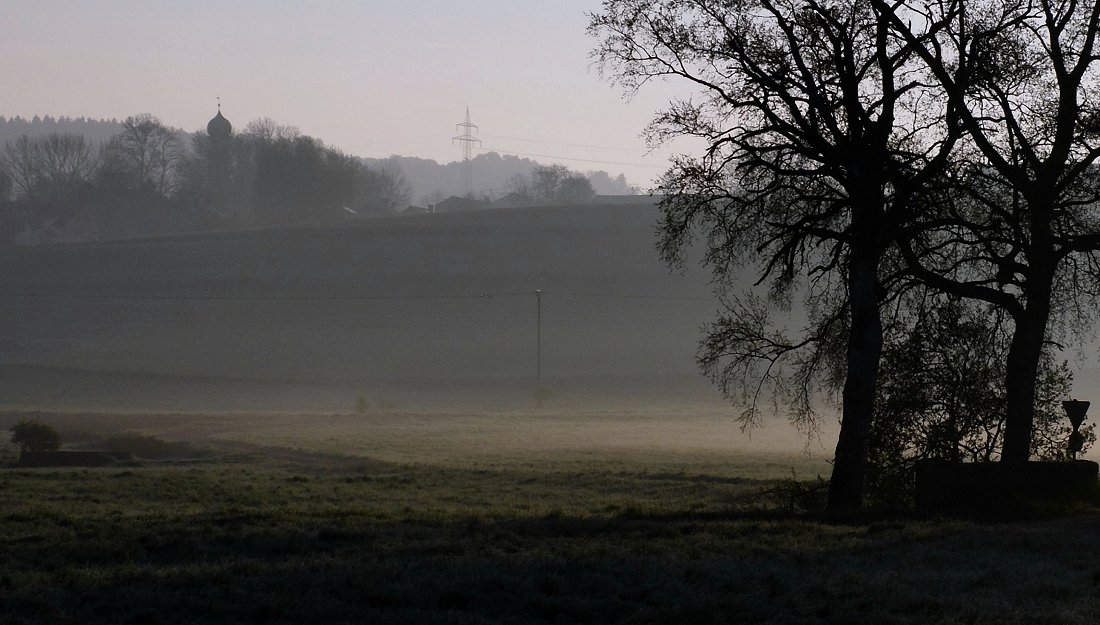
[1021,372]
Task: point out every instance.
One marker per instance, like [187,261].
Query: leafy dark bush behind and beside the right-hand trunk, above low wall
[941,396]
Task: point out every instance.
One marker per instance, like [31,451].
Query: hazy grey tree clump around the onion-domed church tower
[151,180]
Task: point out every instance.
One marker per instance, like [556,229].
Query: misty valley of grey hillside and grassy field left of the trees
[344,424]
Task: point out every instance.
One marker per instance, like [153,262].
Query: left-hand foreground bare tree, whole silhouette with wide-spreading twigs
[821,136]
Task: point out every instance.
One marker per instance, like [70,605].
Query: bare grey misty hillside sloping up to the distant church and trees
[424,306]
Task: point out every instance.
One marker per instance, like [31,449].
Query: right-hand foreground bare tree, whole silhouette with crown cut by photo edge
[1025,233]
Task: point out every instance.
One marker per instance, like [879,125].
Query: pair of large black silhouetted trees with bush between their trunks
[914,176]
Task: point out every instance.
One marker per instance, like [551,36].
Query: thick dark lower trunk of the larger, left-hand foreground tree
[865,346]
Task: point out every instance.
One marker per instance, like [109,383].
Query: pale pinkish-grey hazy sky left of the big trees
[372,78]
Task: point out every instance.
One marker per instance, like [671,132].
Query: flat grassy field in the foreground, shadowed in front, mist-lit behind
[529,517]
